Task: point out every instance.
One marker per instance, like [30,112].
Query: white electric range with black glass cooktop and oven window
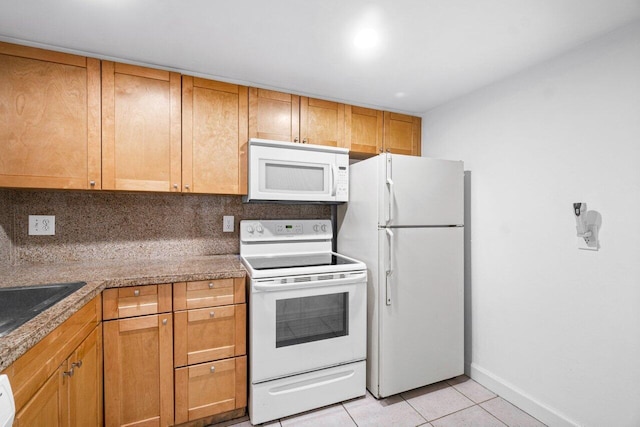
[307,318]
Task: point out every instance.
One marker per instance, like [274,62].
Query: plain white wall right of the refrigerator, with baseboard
[552,328]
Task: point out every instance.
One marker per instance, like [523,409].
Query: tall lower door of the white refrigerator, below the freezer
[421,316]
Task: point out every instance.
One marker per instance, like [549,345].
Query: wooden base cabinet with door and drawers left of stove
[185,362]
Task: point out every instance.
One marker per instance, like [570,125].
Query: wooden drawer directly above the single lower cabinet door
[136,301]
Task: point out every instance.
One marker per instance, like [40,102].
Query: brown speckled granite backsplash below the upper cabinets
[110,225]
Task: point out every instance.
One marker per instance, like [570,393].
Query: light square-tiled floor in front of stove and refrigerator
[459,402]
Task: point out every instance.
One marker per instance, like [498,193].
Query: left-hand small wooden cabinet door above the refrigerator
[363,131]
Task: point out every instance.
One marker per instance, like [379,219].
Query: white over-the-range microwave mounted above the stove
[293,172]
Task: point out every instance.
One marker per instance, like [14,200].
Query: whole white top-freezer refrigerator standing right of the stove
[405,220]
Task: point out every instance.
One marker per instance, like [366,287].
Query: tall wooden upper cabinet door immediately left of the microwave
[214,136]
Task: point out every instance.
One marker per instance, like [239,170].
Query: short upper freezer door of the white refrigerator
[420,191]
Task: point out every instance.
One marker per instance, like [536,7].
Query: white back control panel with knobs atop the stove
[271,230]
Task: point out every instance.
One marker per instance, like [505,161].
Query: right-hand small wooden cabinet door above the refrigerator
[402,134]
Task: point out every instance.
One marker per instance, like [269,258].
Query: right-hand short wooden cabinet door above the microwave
[321,122]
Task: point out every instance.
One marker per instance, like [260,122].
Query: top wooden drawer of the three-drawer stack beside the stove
[208,293]
